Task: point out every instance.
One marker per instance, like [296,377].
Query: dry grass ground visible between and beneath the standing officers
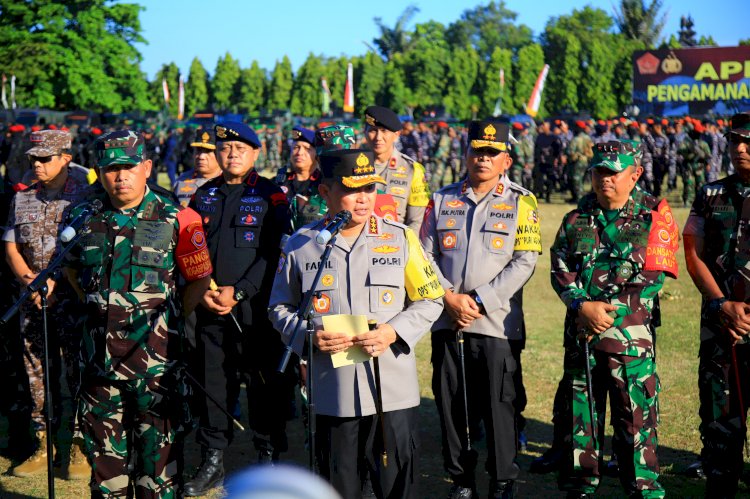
[542,363]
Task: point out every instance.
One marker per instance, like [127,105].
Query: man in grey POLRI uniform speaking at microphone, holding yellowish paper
[377,269]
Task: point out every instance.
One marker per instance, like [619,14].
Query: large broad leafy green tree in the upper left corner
[76,54]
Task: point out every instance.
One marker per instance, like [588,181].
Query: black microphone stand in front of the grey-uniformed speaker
[305,312]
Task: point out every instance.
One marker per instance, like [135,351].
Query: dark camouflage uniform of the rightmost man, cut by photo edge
[720,214]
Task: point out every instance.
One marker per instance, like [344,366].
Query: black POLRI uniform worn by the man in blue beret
[244,226]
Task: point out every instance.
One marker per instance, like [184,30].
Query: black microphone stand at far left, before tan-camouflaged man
[39,284]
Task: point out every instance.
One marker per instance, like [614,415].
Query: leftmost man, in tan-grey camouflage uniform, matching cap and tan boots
[31,243]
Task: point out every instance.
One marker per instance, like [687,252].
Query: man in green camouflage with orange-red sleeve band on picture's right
[609,260]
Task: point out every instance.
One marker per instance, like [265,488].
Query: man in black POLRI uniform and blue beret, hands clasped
[245,216]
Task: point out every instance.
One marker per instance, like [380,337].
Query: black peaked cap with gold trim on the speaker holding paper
[352,167]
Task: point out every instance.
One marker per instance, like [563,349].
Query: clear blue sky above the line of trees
[265,30]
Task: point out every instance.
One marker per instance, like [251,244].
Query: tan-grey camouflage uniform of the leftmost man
[35,222]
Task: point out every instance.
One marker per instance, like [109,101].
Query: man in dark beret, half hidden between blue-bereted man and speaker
[301,178]
